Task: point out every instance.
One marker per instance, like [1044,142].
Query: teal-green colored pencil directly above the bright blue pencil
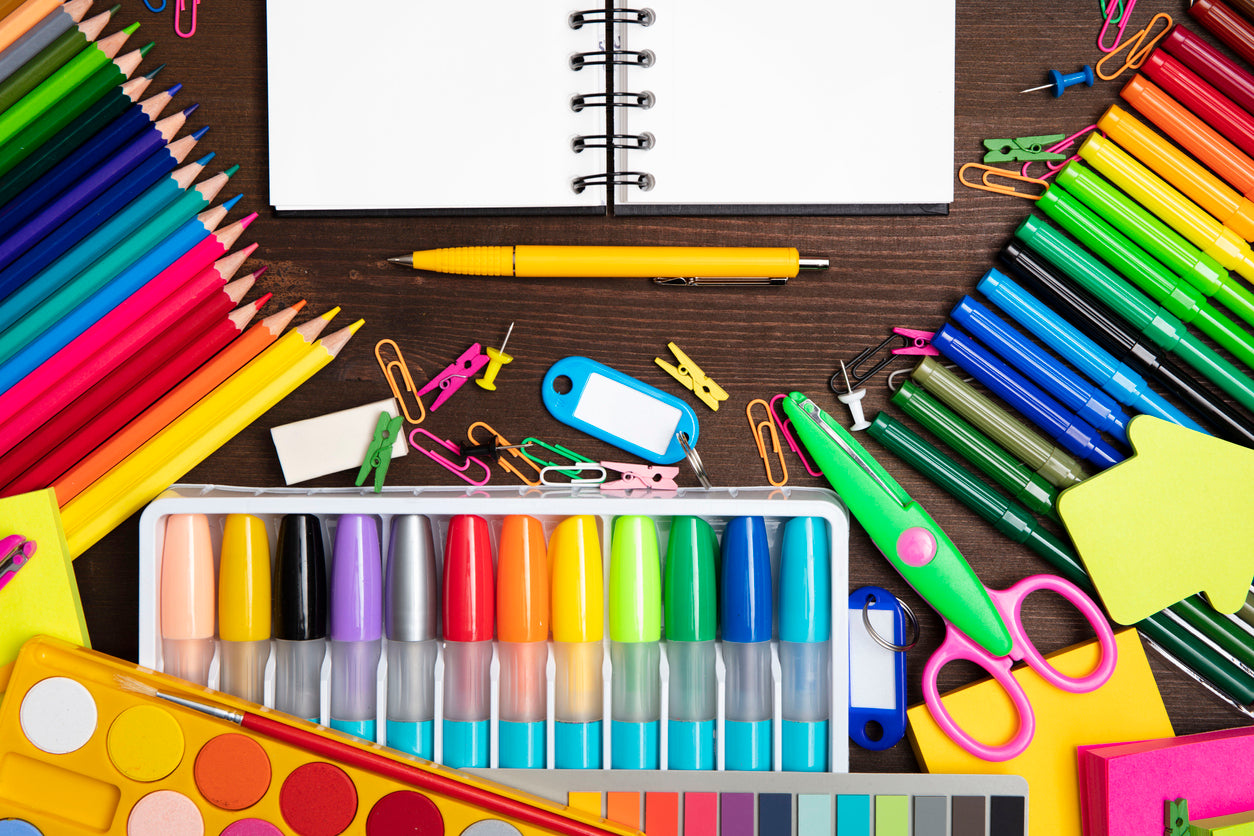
[121,260]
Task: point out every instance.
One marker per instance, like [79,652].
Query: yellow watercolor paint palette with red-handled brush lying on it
[88,748]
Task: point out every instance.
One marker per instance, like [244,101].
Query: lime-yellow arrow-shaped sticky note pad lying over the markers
[1177,518]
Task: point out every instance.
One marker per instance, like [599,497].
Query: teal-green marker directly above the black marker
[1154,323]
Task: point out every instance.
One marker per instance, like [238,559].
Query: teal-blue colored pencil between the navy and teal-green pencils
[112,234]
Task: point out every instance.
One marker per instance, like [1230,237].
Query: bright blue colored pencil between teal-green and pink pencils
[190,243]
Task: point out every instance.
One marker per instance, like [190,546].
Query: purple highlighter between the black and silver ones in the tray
[357,625]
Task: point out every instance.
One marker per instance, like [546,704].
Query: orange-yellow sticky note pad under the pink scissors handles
[1127,709]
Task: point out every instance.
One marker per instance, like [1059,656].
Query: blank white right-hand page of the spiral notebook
[794,102]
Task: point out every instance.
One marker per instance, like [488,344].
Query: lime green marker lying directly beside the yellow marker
[1162,241]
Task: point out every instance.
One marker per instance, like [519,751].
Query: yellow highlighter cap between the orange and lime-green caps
[575,561]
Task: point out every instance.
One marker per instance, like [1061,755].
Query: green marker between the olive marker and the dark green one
[1026,487]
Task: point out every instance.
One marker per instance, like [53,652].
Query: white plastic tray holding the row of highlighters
[549,506]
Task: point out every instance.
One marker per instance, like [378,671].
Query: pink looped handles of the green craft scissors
[1009,603]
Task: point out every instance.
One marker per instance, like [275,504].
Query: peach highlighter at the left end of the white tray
[187,598]
